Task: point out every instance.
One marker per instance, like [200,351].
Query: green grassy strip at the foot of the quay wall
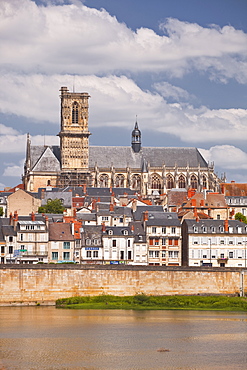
[144,302]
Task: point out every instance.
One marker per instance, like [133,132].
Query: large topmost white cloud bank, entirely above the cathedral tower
[94,42]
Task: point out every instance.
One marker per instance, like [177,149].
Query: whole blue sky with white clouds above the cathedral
[179,65]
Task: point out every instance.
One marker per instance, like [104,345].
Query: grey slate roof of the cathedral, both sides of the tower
[122,157]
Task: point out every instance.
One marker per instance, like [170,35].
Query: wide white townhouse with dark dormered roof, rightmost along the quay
[217,243]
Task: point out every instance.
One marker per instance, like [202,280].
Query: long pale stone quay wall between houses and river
[43,284]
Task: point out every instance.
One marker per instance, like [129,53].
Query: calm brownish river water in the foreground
[50,338]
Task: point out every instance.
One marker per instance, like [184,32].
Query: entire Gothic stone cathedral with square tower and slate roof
[148,170]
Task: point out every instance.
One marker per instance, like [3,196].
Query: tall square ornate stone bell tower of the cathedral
[74,142]
